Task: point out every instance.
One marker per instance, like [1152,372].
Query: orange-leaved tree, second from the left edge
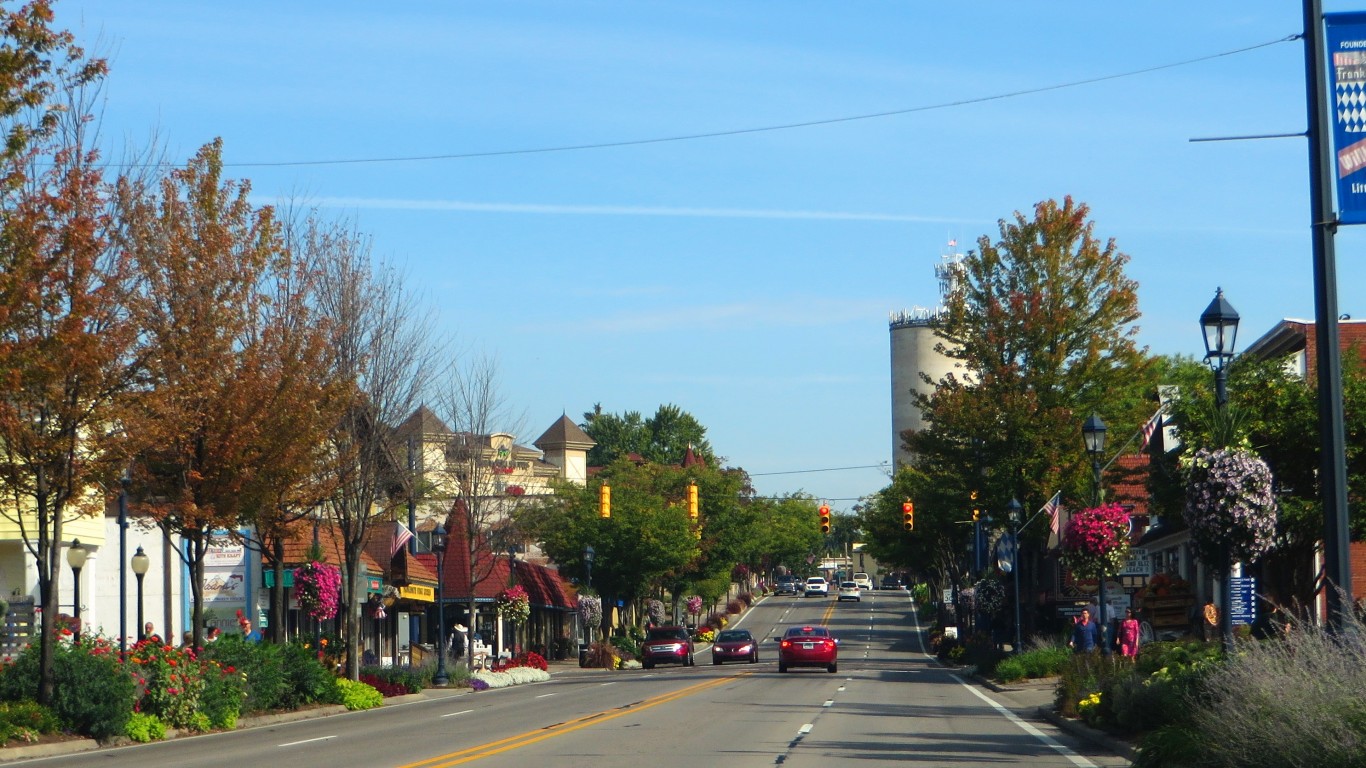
[204,255]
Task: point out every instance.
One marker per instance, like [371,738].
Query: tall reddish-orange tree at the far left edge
[65,340]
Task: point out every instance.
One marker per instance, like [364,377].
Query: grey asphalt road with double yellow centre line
[889,704]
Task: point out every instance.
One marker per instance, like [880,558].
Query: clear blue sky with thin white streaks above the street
[718,206]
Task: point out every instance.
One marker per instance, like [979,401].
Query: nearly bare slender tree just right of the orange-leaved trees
[380,353]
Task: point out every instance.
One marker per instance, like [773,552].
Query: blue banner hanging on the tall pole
[1346,44]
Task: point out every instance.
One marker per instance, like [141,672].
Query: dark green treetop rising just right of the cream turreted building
[666,438]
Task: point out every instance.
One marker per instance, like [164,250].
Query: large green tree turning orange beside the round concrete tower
[1042,329]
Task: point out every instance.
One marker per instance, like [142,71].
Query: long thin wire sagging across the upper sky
[763,129]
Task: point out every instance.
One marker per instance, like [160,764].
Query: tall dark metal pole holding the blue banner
[1333,472]
